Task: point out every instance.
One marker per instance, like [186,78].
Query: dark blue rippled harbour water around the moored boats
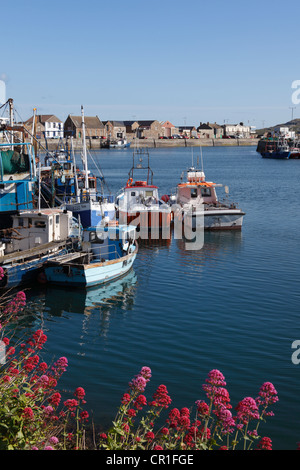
[232,306]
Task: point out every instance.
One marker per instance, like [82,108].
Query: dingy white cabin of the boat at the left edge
[35,228]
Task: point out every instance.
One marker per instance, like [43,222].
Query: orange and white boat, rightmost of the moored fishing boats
[196,204]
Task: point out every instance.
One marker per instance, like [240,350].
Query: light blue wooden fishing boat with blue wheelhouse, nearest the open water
[107,253]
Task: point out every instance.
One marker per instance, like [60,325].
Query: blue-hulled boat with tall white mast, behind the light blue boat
[90,205]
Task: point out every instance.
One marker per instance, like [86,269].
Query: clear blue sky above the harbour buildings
[168,60]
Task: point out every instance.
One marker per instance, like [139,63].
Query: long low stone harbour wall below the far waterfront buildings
[95,144]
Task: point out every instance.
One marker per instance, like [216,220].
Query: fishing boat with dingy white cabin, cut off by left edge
[35,236]
